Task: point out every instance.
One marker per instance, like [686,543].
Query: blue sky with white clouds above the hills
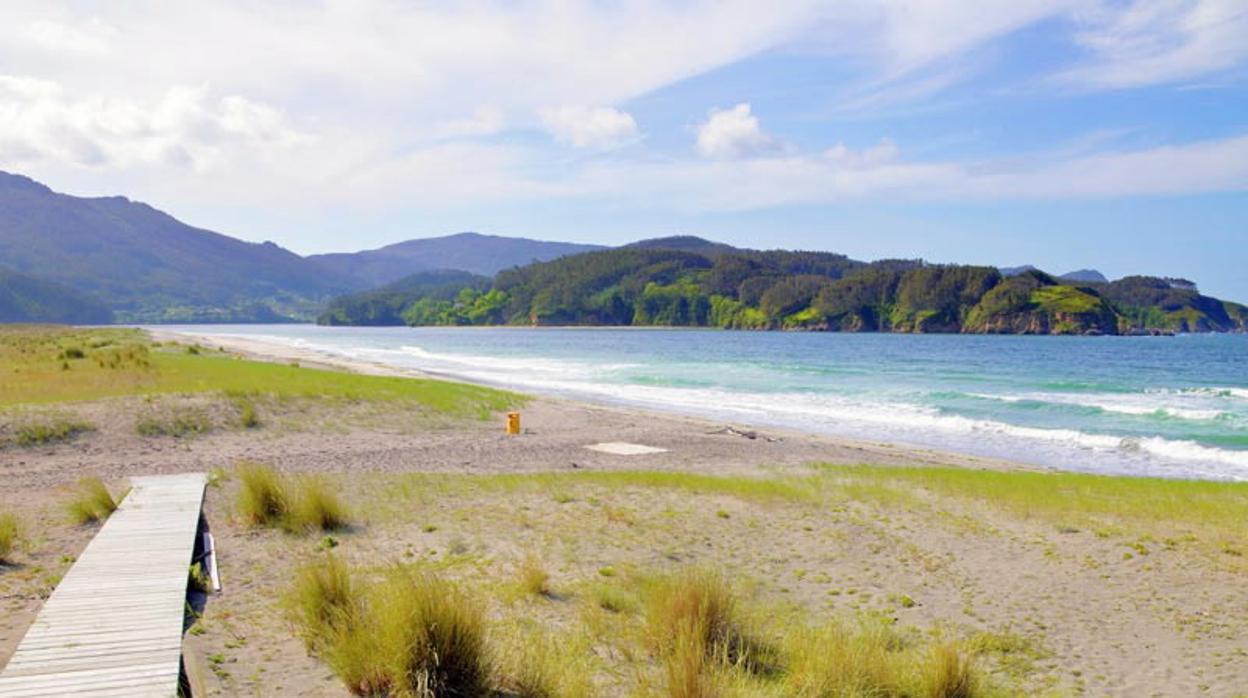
[1061,134]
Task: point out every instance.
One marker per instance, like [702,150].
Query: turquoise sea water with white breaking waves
[1166,406]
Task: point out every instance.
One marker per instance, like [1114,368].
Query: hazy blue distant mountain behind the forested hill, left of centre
[467,252]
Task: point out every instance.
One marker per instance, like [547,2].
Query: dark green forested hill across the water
[706,285]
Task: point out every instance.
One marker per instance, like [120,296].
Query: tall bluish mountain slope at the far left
[149,267]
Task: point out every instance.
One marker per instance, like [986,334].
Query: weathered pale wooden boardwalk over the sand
[114,625]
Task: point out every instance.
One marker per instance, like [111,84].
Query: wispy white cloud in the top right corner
[1158,42]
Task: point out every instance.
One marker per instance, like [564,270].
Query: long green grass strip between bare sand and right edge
[1171,513]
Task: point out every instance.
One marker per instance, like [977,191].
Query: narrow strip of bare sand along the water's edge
[873,451]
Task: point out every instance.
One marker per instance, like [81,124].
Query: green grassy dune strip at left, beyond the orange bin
[120,363]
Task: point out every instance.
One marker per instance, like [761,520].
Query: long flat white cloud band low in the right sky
[879,174]
